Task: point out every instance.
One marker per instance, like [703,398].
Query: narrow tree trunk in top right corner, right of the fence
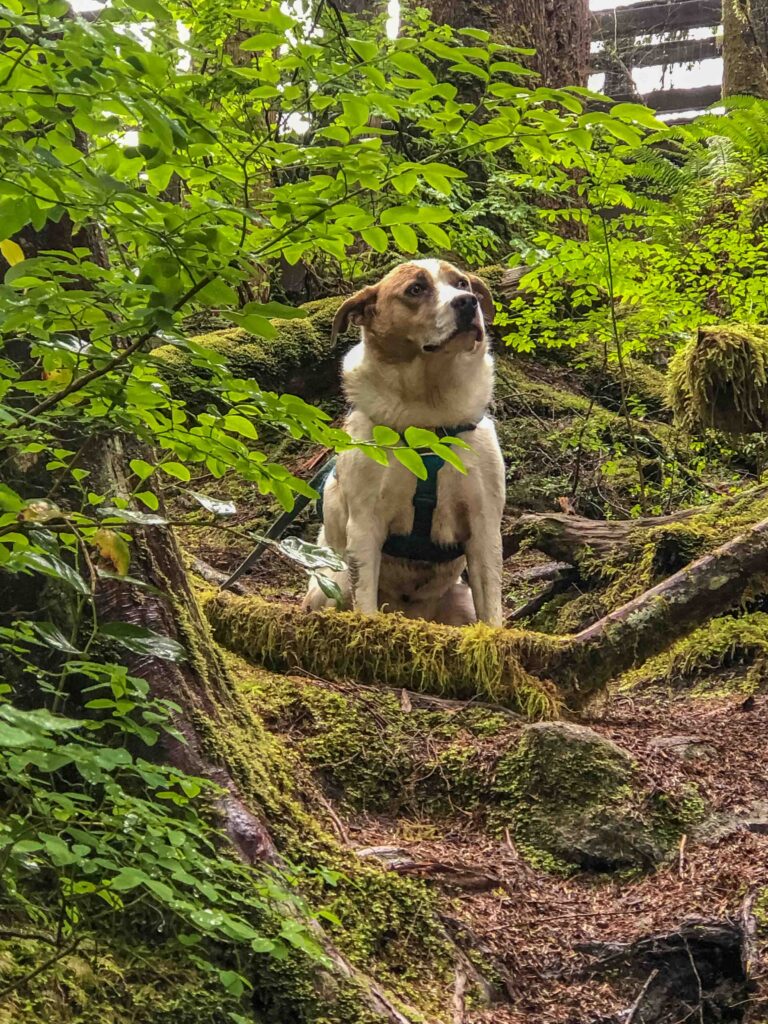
[746,49]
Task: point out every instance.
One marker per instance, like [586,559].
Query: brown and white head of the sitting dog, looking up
[421,309]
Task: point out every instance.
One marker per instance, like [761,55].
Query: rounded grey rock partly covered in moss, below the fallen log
[575,802]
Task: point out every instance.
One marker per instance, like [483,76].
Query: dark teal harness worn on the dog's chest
[418,545]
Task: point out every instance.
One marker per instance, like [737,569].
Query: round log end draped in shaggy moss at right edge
[720,380]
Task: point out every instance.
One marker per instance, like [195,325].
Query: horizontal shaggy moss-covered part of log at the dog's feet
[463,663]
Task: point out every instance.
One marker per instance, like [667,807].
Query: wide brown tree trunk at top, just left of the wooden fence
[560,30]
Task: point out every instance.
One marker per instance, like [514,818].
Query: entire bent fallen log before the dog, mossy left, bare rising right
[531,673]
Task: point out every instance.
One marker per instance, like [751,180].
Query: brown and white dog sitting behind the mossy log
[423,362]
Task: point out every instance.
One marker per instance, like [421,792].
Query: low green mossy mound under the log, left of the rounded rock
[372,754]
